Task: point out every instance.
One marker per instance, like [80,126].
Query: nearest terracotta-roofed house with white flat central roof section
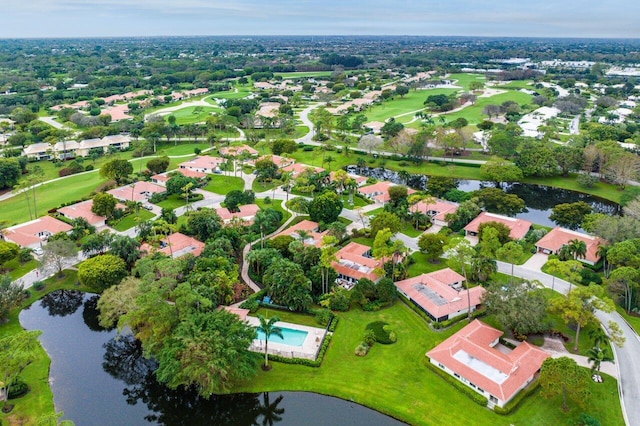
[475,357]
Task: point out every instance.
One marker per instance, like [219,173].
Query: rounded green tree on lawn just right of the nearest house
[563,377]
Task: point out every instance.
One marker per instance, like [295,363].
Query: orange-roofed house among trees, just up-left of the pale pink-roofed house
[354,261]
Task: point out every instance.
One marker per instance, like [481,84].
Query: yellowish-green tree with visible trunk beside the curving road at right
[579,306]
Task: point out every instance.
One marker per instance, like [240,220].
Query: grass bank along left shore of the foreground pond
[39,400]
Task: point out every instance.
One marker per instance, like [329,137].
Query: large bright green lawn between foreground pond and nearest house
[393,379]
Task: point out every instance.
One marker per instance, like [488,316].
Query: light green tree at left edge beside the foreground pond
[17,351]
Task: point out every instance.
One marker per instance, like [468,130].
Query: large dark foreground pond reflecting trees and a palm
[98,379]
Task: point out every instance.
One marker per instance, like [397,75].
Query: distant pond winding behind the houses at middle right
[539,199]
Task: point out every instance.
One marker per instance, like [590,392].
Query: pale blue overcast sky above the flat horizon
[506,18]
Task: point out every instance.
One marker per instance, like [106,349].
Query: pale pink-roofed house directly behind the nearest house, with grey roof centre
[440,294]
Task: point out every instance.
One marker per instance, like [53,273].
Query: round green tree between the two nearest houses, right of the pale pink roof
[519,307]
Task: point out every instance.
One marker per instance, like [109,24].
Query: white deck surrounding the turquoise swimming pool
[308,350]
